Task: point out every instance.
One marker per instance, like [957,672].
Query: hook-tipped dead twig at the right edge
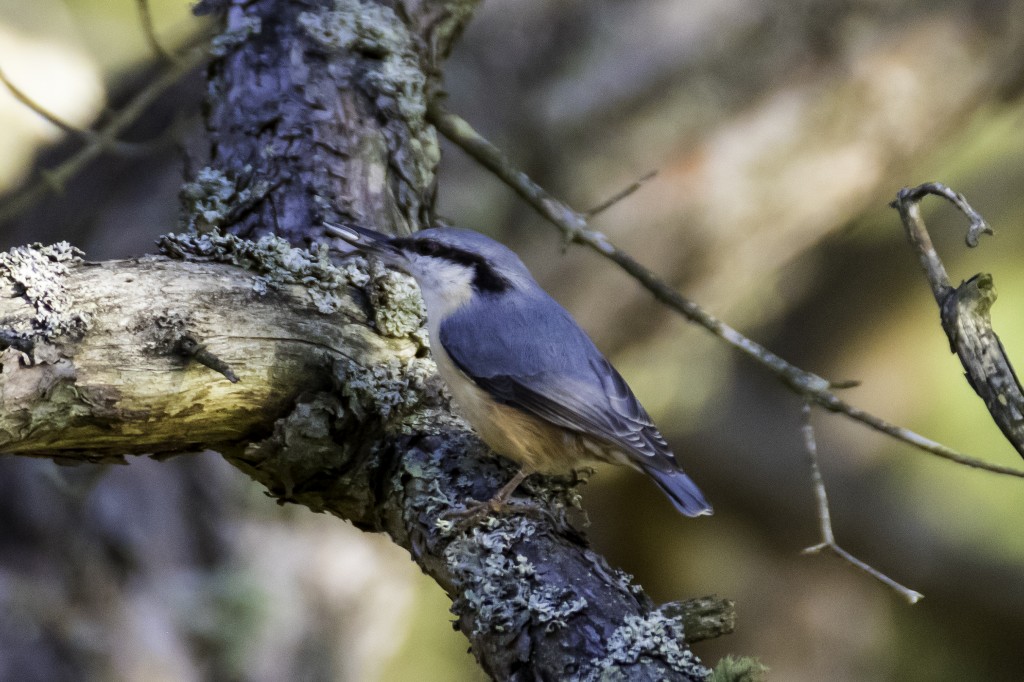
[965,314]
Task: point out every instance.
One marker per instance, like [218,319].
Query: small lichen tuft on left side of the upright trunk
[215,198]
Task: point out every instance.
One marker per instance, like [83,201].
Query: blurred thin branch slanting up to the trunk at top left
[104,140]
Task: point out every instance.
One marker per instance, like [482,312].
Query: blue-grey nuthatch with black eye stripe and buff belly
[521,370]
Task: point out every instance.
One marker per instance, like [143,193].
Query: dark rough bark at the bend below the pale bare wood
[327,453]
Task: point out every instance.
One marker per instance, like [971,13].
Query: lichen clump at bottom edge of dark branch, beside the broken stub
[656,636]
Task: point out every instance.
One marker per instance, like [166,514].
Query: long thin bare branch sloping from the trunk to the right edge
[574,226]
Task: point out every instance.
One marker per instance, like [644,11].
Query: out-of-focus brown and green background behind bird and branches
[780,132]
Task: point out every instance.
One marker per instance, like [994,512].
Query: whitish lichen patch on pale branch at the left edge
[38,275]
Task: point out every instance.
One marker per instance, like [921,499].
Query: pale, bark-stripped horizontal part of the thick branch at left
[92,360]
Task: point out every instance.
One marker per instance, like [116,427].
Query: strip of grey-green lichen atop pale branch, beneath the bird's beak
[275,263]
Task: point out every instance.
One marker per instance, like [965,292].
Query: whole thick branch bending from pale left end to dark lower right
[327,414]
